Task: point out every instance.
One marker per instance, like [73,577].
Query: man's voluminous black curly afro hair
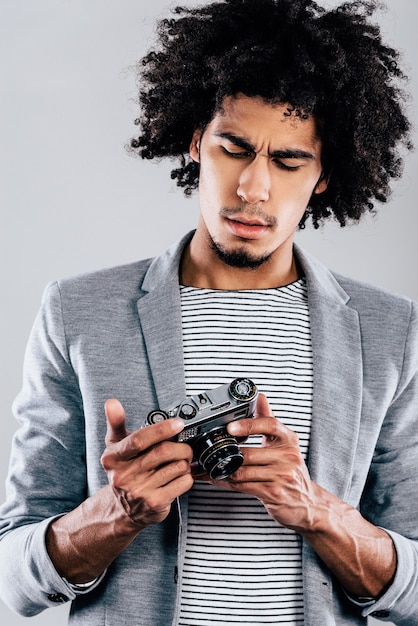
[331,64]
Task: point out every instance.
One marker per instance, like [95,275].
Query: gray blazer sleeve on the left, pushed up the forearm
[47,475]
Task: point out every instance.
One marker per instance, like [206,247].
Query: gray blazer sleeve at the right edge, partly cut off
[390,498]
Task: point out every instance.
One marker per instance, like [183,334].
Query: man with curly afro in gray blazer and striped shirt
[286,111]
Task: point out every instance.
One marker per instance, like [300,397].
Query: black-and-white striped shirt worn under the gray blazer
[240,566]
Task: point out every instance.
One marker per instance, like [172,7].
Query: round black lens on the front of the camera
[218,453]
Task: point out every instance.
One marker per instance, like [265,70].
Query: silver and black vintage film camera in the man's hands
[206,416]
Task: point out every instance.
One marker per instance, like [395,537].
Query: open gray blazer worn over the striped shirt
[118,333]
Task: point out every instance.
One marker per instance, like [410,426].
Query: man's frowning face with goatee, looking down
[259,167]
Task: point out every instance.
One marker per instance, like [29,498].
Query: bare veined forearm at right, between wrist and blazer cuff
[361,555]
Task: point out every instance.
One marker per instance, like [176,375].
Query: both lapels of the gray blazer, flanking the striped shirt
[337,362]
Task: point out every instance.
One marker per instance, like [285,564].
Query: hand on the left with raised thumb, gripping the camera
[146,471]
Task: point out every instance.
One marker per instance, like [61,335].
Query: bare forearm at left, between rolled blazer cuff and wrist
[84,542]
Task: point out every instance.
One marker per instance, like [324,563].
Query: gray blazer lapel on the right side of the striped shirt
[337,376]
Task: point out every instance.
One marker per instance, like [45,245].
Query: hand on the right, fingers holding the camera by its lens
[276,473]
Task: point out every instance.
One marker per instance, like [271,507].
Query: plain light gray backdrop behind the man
[72,200]
